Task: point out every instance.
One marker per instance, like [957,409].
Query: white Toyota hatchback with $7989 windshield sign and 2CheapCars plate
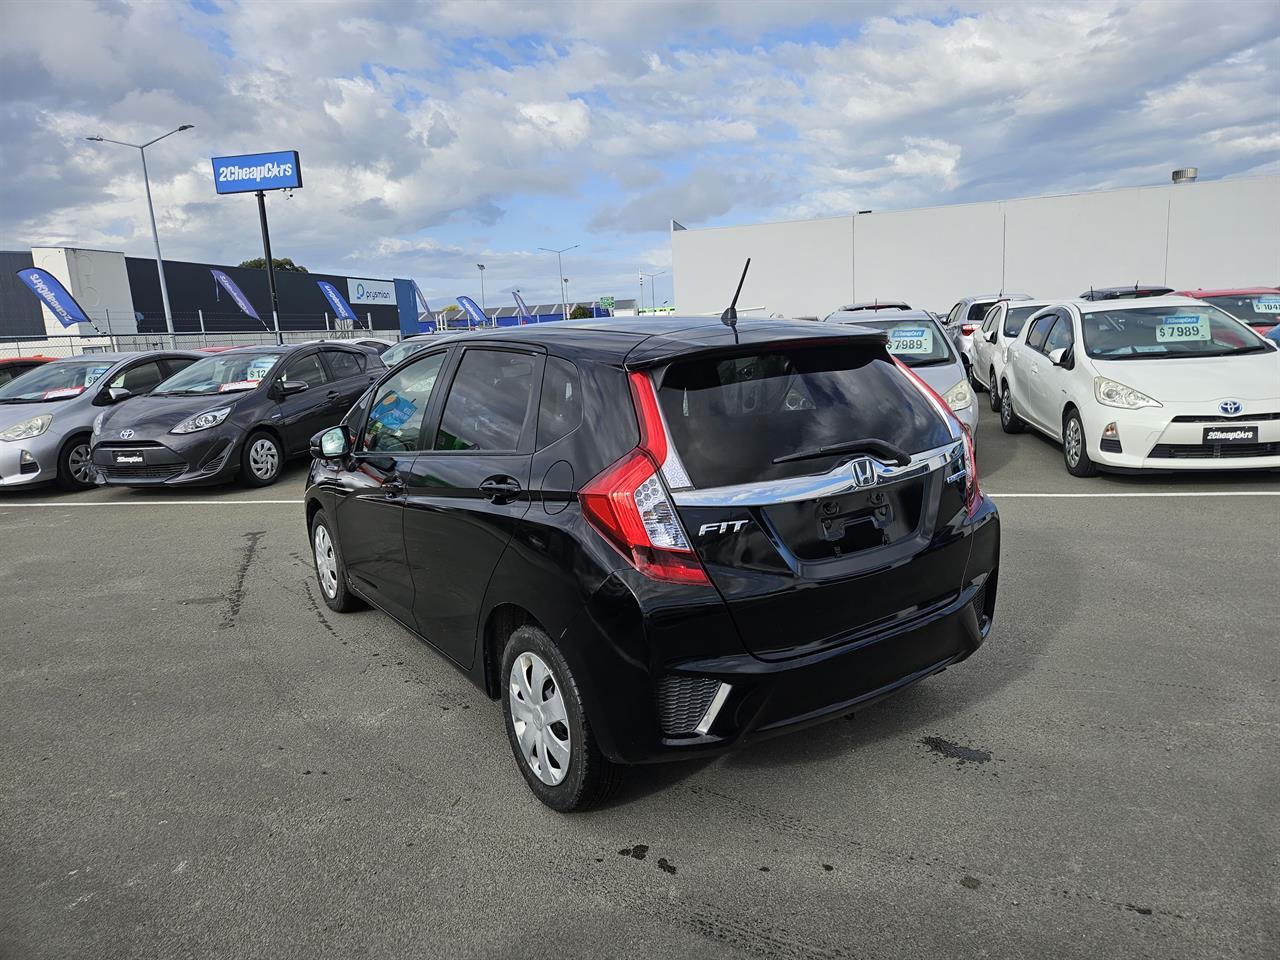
[1167,383]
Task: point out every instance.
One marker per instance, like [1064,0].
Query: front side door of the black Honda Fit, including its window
[371,513]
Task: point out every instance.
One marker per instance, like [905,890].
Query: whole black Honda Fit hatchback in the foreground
[657,538]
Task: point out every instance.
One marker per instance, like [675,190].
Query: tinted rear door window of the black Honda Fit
[488,403]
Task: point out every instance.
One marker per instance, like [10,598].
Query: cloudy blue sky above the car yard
[436,136]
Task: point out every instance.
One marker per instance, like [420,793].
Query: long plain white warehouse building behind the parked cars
[1187,236]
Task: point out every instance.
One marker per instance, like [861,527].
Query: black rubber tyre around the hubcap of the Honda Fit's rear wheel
[589,778]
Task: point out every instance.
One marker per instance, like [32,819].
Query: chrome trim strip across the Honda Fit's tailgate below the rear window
[836,482]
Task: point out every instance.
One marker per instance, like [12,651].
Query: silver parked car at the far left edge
[47,415]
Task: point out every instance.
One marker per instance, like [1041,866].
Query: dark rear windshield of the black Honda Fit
[730,419]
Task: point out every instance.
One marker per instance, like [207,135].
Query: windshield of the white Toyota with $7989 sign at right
[1155,333]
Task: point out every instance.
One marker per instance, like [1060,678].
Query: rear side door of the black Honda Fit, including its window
[467,496]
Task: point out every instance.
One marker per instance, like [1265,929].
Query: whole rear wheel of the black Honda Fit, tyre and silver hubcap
[547,726]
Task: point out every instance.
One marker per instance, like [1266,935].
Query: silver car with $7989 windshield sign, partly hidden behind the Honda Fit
[918,341]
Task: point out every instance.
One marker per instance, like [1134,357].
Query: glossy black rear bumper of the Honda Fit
[665,715]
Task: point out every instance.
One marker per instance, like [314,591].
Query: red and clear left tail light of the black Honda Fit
[628,504]
